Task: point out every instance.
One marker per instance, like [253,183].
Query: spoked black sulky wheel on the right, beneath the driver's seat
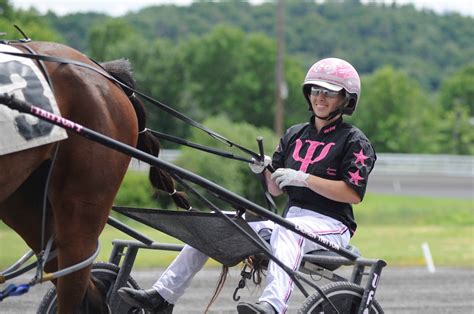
[345,296]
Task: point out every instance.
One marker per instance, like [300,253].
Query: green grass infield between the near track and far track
[390,227]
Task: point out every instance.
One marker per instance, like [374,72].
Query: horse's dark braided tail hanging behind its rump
[147,142]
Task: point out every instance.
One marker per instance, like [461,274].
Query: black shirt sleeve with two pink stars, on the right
[357,164]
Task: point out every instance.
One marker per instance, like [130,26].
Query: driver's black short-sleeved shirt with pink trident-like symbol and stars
[339,151]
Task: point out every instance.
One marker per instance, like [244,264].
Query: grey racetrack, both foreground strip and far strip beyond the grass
[401,290]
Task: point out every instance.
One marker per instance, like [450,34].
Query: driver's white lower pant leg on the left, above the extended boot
[177,277]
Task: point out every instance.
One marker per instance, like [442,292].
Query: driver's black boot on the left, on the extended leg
[149,300]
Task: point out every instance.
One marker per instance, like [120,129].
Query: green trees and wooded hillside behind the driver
[218,58]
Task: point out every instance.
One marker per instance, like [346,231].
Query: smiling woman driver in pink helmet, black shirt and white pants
[323,165]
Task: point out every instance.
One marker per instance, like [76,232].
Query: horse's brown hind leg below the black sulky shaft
[81,203]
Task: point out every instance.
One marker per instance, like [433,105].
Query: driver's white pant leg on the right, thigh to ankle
[289,248]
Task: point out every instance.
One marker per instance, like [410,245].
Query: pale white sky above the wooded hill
[120,7]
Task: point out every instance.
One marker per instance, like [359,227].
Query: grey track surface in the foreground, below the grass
[401,290]
